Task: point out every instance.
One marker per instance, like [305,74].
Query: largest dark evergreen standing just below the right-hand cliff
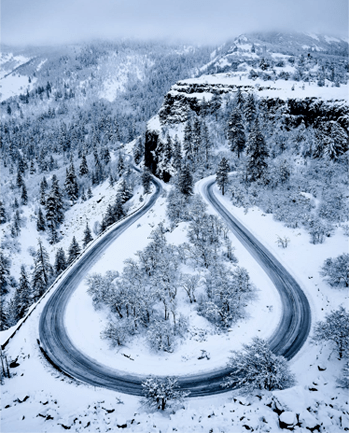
[257,153]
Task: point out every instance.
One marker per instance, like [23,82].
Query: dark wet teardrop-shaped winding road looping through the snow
[287,340]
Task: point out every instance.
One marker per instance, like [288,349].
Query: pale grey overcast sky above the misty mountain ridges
[207,21]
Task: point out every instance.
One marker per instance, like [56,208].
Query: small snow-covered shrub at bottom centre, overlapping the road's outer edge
[160,392]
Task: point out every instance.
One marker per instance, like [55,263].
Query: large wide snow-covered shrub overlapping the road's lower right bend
[257,367]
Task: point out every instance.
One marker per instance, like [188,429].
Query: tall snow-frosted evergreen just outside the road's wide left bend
[42,272]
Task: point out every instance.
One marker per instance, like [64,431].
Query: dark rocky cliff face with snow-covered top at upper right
[290,101]
